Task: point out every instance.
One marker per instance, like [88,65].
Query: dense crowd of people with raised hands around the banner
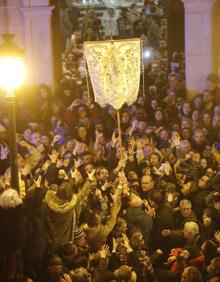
[88,211]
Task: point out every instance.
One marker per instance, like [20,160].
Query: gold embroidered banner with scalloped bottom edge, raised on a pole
[114,69]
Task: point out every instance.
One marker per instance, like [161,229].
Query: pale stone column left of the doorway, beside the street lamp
[38,41]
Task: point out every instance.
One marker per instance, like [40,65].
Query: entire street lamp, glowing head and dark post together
[11,77]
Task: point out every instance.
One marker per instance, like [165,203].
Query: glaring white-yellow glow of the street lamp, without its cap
[12,73]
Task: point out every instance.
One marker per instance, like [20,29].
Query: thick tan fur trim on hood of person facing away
[57,205]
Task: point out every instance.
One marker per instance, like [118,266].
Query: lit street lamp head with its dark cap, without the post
[12,70]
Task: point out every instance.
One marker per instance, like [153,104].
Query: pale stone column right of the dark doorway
[198,42]
